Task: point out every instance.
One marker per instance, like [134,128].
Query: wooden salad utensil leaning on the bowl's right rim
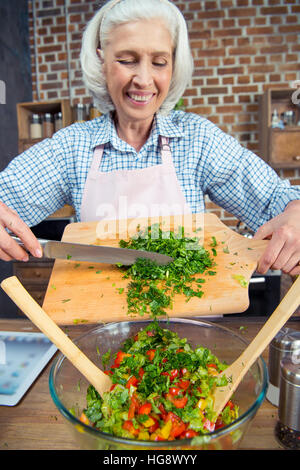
[236,371]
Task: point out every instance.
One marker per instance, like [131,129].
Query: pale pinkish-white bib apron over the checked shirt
[120,194]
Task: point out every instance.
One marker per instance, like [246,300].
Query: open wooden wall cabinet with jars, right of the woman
[280,148]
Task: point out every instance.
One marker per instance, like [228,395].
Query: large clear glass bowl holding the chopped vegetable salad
[68,387]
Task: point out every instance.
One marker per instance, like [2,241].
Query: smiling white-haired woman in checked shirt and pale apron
[141,157]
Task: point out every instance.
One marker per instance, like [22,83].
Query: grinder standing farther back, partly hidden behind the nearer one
[285,343]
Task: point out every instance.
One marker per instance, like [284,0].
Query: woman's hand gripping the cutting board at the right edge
[283,251]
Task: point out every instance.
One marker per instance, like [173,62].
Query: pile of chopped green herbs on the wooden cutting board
[152,287]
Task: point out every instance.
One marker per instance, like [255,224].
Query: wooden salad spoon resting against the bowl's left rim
[39,317]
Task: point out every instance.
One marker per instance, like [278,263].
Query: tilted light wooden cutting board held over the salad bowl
[81,292]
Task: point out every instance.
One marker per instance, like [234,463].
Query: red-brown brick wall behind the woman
[240,48]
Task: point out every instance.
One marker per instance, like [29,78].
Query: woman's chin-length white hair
[116,12]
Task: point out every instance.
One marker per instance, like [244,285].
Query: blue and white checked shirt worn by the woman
[53,172]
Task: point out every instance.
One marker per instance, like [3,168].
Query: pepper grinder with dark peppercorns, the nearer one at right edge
[287,430]
